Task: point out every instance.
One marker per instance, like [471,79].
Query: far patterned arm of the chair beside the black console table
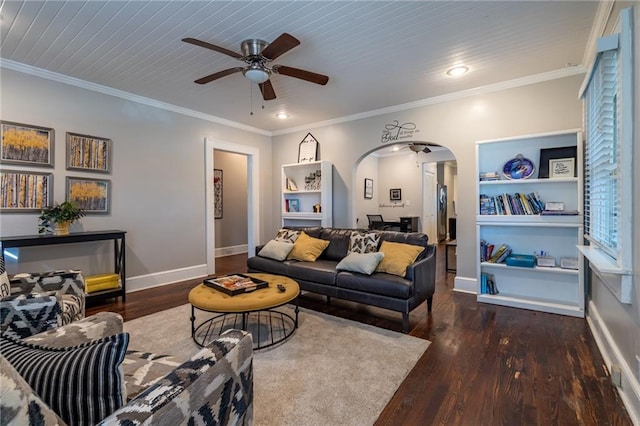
[69,284]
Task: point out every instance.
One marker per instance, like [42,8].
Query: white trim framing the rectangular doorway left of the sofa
[253,196]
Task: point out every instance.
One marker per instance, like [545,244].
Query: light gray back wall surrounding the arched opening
[456,125]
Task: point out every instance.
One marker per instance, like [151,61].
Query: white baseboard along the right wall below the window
[630,390]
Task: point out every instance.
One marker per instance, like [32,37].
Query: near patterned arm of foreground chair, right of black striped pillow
[214,387]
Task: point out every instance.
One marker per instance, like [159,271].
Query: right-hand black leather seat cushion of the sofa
[378,283]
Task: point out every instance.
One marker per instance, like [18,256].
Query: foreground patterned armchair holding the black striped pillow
[213,387]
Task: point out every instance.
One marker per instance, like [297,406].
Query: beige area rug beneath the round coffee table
[331,371]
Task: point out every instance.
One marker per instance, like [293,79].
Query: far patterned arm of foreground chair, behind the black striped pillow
[95,327]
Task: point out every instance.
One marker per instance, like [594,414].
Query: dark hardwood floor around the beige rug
[487,365]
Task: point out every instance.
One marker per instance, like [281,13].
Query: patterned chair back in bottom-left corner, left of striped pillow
[19,404]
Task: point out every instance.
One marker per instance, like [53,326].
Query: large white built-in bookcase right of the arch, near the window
[547,289]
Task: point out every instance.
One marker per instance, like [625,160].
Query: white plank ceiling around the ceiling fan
[378,54]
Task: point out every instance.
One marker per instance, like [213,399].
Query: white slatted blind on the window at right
[602,175]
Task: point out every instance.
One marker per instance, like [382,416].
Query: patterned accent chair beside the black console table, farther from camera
[38,302]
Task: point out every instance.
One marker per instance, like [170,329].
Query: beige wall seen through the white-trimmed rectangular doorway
[232,230]
